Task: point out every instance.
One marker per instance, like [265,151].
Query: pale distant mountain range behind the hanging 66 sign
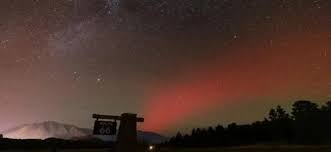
[52,129]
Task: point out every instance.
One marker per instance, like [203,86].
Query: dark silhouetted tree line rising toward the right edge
[308,123]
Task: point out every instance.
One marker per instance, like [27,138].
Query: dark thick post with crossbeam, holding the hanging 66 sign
[127,133]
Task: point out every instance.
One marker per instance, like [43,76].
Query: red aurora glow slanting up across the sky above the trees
[282,70]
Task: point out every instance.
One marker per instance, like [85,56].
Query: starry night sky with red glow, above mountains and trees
[179,64]
